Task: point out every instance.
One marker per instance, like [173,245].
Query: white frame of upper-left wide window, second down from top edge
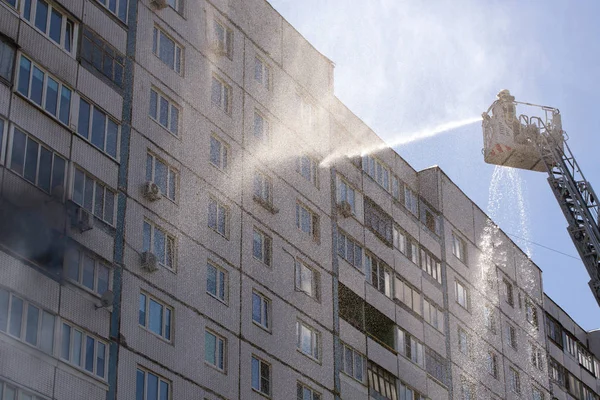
[47,76]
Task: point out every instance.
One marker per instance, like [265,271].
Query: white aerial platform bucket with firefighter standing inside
[516,142]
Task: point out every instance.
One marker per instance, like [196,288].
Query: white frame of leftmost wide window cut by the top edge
[65,19]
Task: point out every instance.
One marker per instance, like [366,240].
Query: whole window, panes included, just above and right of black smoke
[93,196]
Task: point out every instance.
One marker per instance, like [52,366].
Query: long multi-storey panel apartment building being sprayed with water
[185,214]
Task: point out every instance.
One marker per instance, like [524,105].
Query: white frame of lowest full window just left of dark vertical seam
[82,351]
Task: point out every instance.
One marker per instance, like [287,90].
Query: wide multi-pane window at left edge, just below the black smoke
[26,322]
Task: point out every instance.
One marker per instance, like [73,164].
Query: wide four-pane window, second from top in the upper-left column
[44,90]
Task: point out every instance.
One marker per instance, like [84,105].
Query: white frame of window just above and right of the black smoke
[97,185]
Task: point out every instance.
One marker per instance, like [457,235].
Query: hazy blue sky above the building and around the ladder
[403,66]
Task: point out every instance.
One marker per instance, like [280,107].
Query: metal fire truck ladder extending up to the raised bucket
[575,196]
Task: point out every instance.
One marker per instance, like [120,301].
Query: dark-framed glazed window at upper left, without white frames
[102,56]
